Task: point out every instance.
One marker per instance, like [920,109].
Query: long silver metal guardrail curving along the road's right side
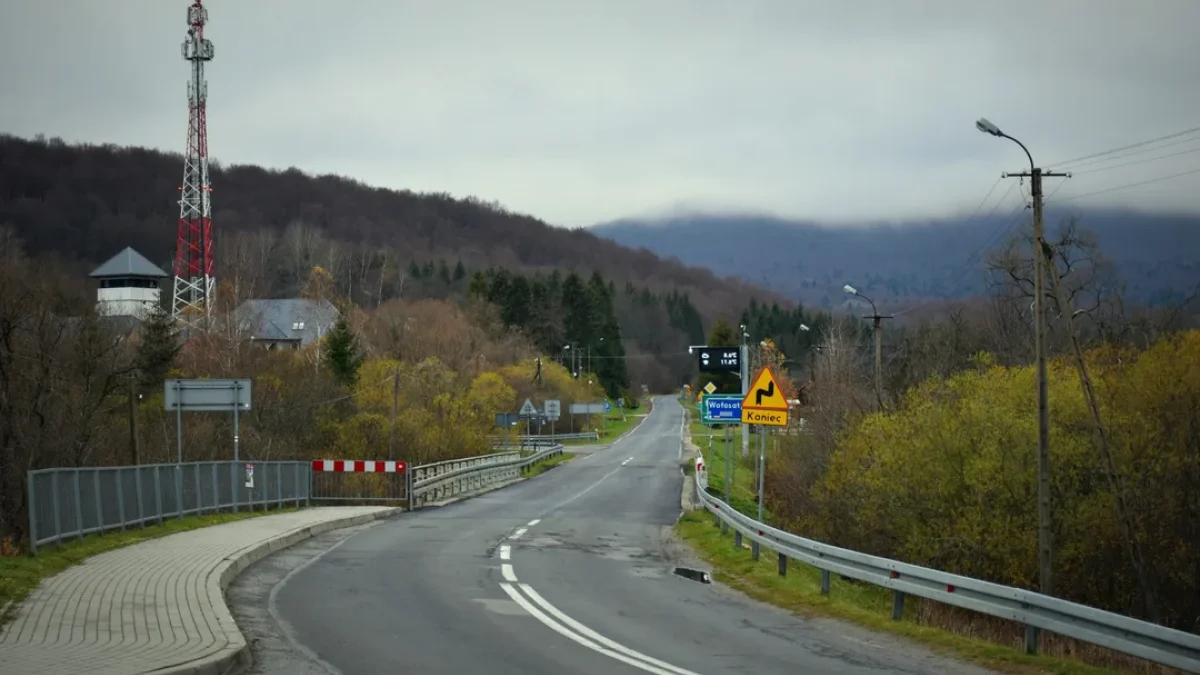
[1135,637]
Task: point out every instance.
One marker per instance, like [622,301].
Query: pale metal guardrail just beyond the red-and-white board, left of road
[446,480]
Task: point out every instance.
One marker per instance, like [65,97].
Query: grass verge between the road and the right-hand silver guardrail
[861,604]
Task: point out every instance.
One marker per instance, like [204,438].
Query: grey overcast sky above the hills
[580,112]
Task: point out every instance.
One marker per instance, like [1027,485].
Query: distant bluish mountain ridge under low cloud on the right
[911,262]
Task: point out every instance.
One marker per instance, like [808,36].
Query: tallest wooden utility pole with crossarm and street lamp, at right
[1036,175]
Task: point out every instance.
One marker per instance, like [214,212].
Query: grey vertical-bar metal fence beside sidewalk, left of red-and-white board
[67,504]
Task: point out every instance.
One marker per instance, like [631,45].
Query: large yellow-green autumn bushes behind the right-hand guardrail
[949,480]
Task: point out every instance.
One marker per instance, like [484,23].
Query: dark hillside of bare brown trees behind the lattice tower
[88,202]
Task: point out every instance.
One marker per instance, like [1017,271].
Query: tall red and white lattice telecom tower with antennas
[193,297]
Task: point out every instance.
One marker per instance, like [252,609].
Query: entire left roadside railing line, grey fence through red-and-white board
[70,504]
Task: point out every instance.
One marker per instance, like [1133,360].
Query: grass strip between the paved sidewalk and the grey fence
[21,575]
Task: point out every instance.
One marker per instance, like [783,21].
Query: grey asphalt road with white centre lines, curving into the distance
[571,572]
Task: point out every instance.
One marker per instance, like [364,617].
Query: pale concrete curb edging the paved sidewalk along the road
[237,653]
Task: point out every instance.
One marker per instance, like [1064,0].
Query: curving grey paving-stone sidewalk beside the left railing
[158,606]
